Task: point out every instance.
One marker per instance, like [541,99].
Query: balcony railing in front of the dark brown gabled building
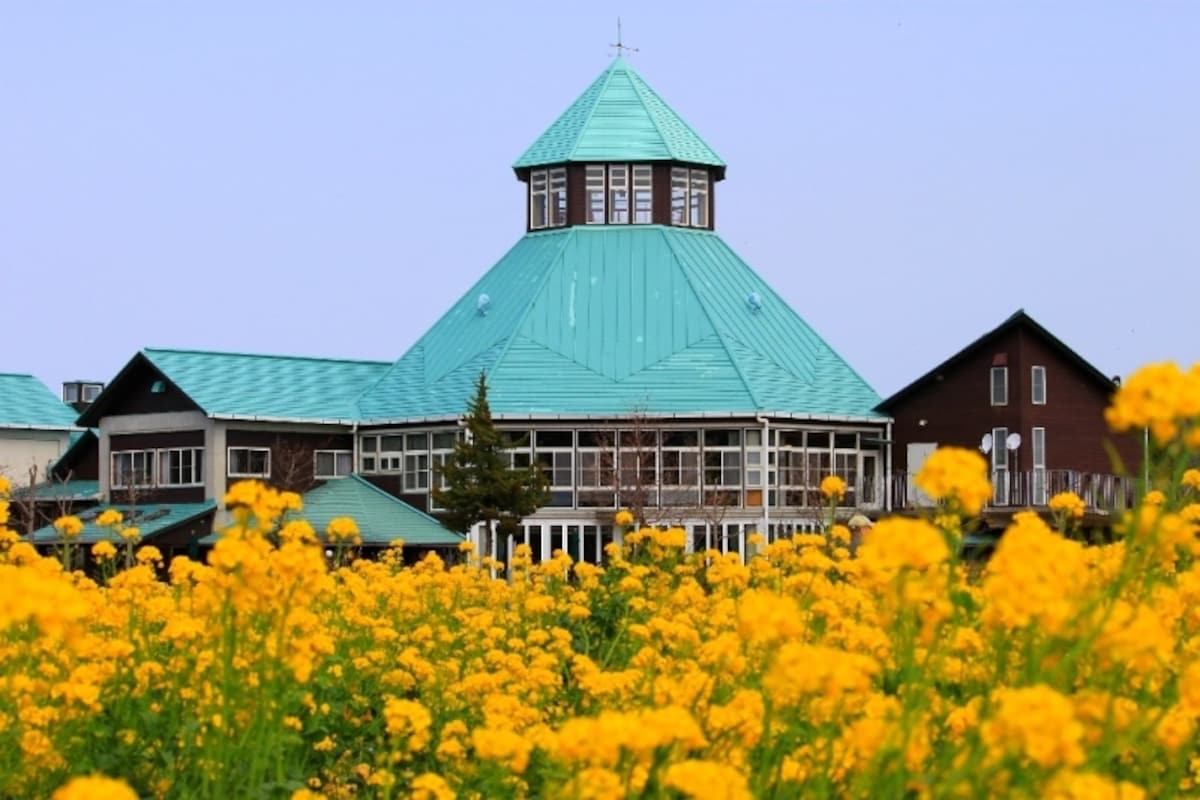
[1034,489]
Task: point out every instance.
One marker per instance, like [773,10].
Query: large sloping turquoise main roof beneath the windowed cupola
[608,320]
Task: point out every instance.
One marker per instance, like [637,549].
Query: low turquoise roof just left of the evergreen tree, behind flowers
[380,516]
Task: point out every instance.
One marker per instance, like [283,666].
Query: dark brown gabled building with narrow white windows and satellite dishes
[1035,408]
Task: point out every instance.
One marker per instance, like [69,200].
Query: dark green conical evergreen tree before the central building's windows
[481,485]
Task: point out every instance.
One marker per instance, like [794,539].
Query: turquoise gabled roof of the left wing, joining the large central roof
[268,387]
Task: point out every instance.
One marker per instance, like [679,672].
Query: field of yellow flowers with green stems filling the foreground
[1057,670]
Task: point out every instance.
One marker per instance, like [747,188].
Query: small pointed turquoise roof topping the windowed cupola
[620,118]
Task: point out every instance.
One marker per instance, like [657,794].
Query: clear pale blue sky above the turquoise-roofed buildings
[326,179]
